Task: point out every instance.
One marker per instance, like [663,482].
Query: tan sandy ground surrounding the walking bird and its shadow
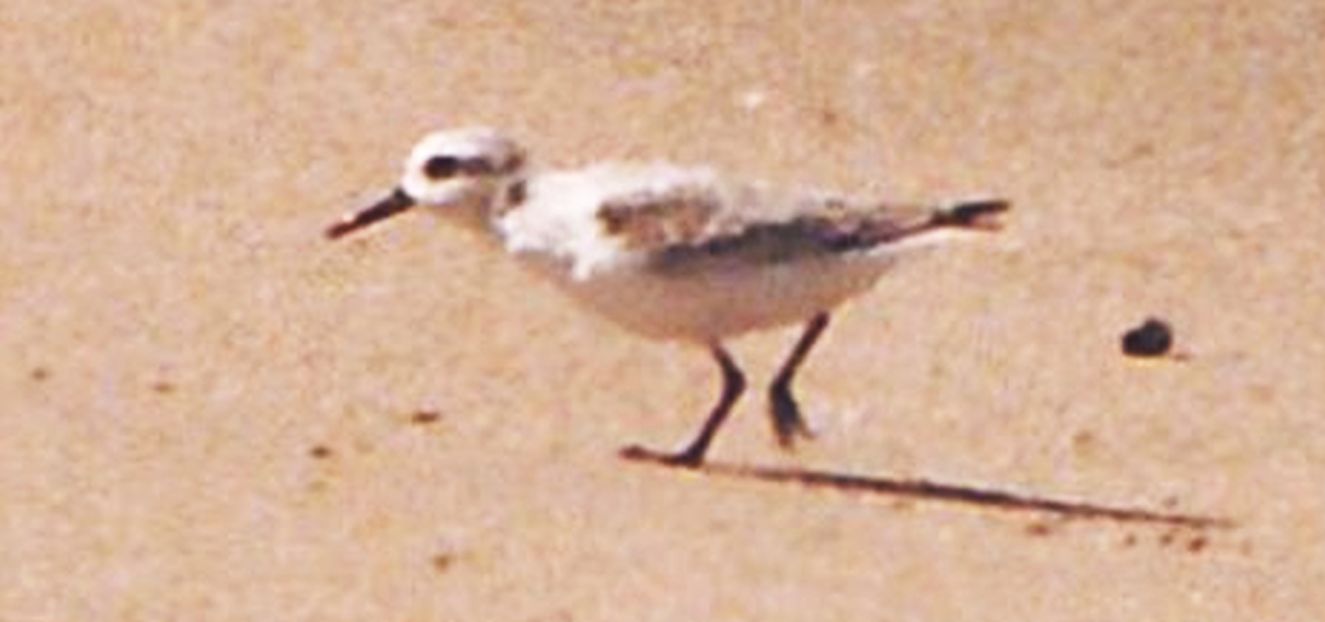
[213,413]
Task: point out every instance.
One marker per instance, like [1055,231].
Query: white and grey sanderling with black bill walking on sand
[675,253]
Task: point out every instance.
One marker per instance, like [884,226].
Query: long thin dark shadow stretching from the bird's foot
[956,494]
